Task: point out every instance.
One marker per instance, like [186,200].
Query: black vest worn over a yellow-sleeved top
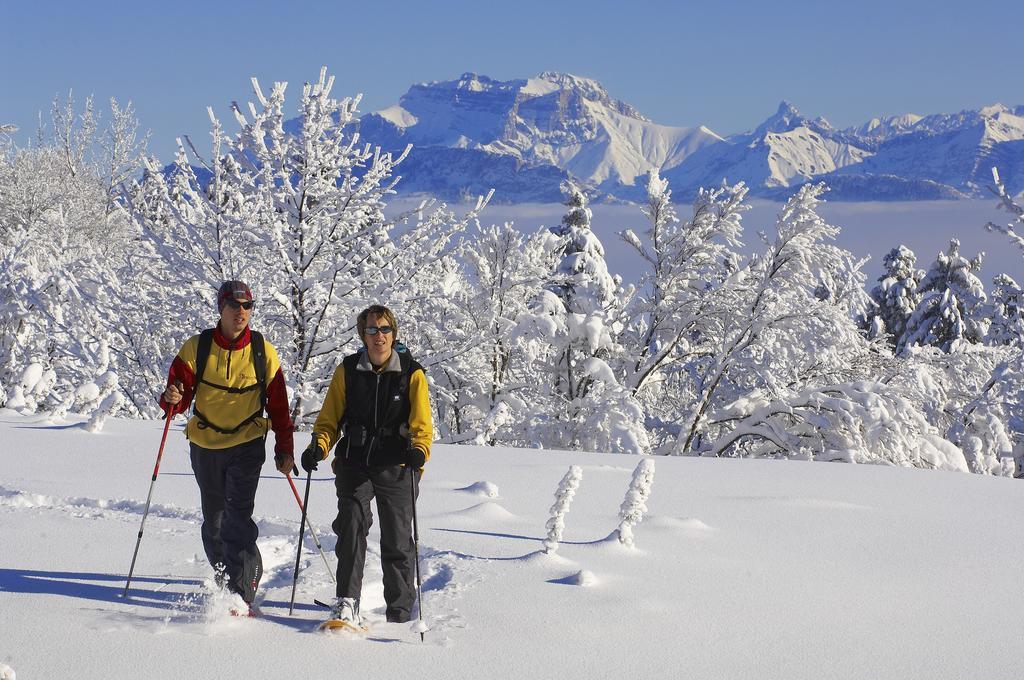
[377,407]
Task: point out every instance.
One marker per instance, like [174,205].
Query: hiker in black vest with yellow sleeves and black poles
[377,411]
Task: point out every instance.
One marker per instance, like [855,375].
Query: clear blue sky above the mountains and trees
[726,65]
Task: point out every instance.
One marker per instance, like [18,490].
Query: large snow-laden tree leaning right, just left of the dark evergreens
[771,330]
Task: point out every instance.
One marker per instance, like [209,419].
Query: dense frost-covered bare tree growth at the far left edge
[63,239]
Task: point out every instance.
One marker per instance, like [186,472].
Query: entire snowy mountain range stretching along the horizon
[525,137]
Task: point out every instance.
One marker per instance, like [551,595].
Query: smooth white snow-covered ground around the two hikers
[742,570]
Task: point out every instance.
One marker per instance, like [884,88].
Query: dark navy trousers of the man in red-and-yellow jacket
[228,481]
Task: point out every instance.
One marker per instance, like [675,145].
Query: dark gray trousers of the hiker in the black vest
[395,488]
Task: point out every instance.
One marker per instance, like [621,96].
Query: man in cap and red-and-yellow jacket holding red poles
[235,376]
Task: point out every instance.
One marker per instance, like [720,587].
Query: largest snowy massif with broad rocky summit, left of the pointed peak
[474,134]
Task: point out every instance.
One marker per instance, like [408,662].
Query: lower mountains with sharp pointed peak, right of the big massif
[909,157]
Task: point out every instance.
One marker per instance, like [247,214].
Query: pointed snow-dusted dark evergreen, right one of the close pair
[951,312]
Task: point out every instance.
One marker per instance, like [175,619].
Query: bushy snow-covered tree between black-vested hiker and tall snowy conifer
[483,384]
